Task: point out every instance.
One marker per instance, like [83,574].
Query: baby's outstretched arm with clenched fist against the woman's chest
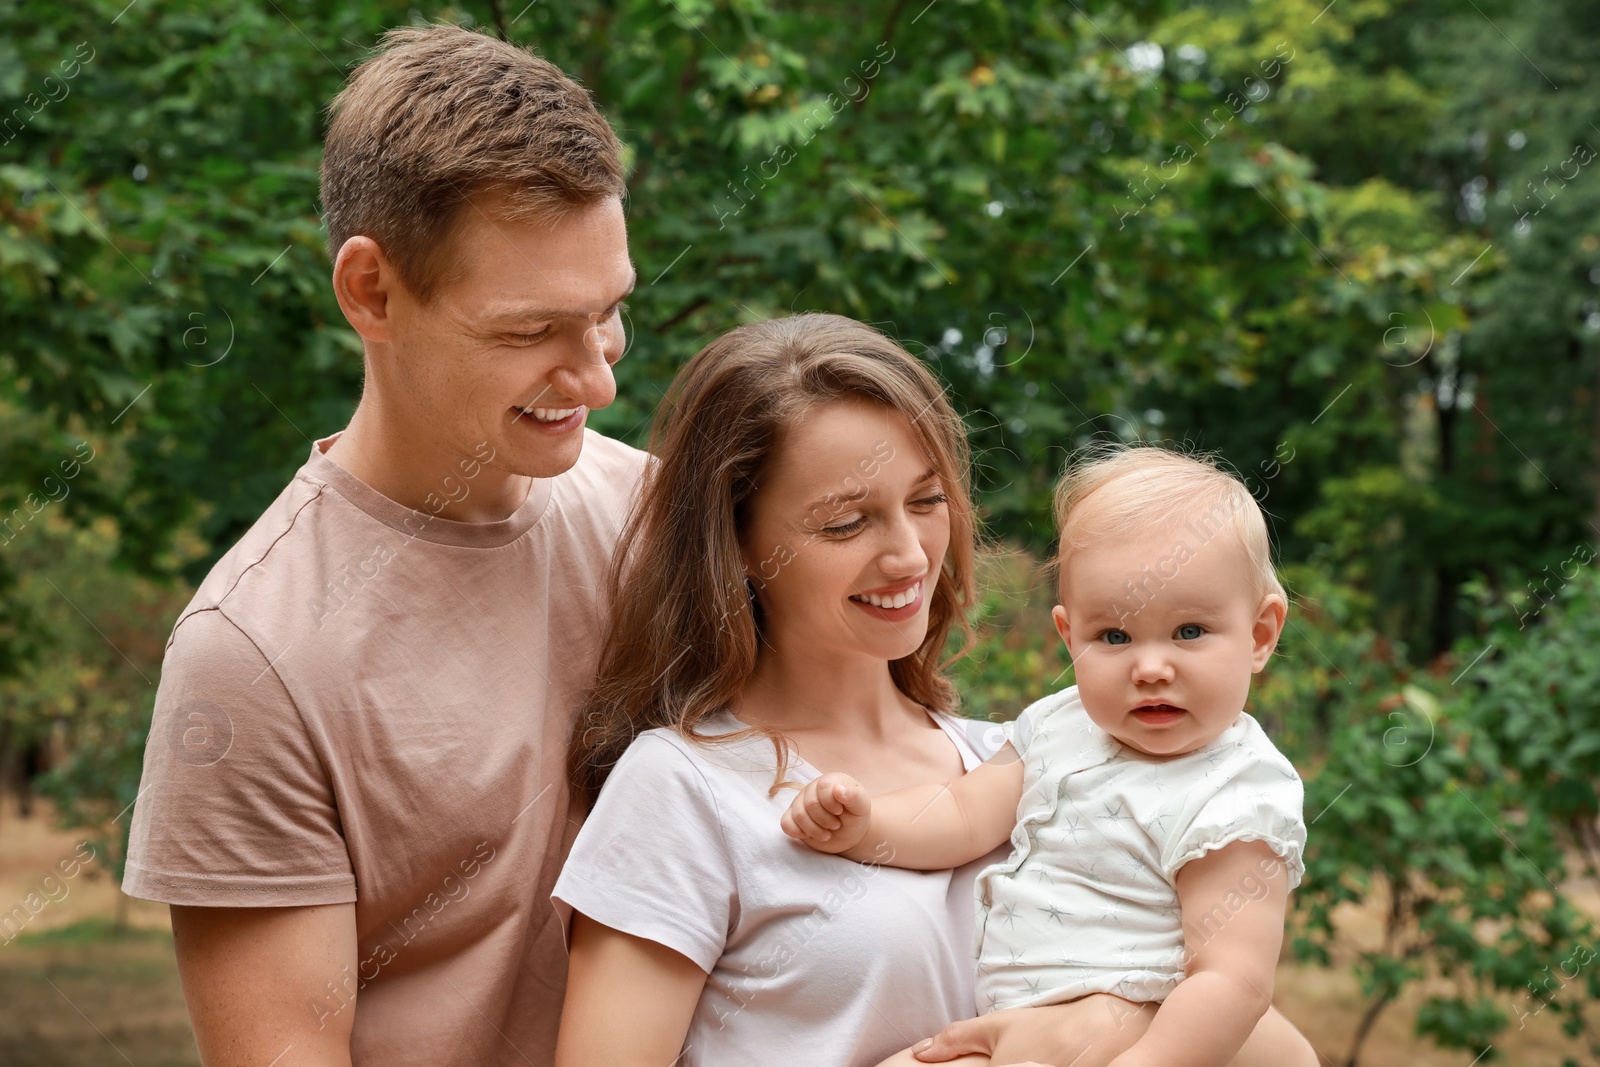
[924,828]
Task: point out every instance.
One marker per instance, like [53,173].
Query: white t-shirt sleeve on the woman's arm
[652,860]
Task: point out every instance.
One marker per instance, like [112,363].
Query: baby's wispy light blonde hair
[1118,490]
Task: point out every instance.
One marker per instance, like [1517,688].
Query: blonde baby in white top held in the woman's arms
[1156,831]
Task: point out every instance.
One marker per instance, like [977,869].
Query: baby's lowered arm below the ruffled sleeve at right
[1231,943]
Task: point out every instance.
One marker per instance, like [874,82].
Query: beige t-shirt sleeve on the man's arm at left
[234,805]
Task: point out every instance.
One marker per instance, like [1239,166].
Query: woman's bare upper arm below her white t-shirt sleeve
[614,978]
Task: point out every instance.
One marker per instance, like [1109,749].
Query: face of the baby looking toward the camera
[1166,633]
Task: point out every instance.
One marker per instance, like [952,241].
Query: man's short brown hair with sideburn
[442,118]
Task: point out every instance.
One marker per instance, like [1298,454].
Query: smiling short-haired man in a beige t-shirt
[354,796]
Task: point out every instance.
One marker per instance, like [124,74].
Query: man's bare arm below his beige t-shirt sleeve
[258,983]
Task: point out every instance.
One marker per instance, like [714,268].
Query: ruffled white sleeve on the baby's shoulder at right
[1252,797]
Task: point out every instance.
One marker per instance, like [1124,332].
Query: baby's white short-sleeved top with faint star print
[1087,903]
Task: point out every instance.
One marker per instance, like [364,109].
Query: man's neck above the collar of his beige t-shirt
[423,474]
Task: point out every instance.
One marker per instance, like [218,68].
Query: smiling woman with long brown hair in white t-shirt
[794,569]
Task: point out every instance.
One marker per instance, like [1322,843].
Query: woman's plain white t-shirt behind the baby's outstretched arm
[810,959]
